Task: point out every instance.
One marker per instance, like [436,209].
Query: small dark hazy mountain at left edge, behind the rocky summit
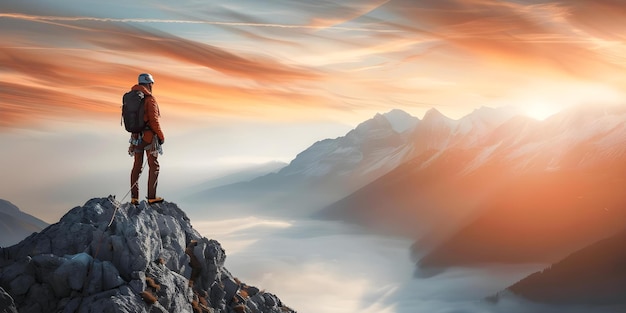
[16,225]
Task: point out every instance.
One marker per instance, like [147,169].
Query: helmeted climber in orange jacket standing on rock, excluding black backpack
[148,140]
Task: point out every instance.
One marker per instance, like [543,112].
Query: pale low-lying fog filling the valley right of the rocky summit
[320,266]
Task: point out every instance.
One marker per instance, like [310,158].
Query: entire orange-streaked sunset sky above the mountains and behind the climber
[246,82]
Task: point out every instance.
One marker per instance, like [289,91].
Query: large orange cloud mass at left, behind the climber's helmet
[48,80]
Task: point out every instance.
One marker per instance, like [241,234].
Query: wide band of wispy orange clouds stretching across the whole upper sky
[353,56]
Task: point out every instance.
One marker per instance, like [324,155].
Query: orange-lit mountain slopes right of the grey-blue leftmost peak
[515,191]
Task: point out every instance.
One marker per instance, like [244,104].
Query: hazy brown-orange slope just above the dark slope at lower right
[538,219]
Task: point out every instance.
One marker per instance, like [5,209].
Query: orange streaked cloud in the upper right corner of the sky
[526,37]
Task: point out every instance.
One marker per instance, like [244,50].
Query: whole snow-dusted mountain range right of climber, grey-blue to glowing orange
[492,187]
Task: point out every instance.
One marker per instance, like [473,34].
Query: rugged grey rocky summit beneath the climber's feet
[107,256]
